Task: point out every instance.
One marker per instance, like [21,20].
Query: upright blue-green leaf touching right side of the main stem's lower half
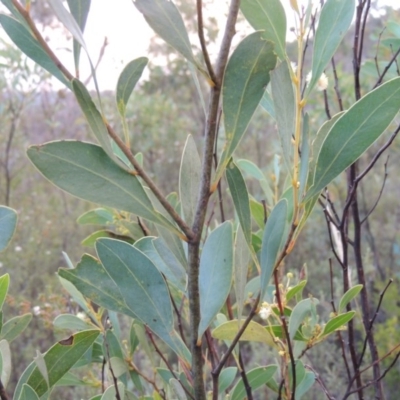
[216,268]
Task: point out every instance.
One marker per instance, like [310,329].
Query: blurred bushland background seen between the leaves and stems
[165,109]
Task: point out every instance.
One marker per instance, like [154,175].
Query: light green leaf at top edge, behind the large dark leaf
[268,16]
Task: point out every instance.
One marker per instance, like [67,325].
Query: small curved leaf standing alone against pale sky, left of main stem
[127,82]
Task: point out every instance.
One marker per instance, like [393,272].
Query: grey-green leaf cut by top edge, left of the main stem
[165,19]
